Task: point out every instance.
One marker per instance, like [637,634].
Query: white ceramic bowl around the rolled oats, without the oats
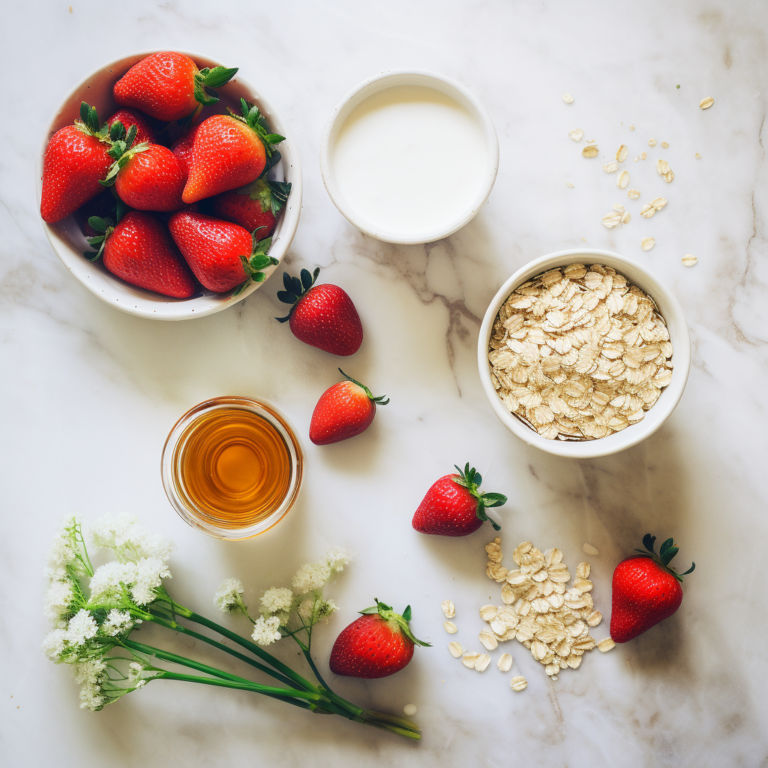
[670,396]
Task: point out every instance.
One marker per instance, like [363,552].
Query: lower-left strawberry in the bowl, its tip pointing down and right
[139,251]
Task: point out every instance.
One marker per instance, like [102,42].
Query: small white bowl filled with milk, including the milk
[409,157]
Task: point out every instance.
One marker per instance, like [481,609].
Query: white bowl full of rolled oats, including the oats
[583,353]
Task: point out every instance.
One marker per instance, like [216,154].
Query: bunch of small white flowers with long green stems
[94,625]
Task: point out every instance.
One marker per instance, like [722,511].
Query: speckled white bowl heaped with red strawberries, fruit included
[168,186]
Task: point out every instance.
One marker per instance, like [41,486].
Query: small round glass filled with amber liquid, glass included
[232,467]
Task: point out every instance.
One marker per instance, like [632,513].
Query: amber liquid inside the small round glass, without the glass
[234,467]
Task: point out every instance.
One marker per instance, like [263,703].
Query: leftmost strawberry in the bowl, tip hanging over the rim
[76,159]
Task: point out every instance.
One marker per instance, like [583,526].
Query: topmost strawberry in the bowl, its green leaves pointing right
[169,86]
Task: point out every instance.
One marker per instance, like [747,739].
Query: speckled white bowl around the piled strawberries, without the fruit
[69,242]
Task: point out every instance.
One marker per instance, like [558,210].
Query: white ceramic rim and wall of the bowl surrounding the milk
[381,82]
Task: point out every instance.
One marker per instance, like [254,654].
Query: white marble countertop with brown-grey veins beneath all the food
[90,393]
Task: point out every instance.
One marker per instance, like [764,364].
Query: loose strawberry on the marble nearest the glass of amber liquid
[343,411]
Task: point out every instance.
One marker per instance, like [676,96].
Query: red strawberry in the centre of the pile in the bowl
[150,178]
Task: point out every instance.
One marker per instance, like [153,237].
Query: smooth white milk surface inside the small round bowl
[410,160]
